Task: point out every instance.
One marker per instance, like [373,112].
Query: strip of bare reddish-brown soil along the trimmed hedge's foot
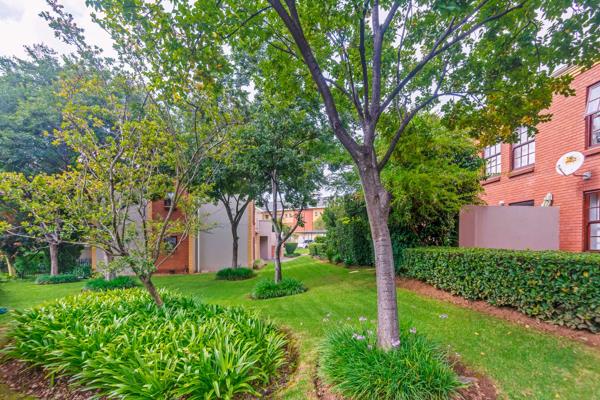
[506,313]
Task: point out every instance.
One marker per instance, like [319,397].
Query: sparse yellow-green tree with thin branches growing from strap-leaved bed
[139,159]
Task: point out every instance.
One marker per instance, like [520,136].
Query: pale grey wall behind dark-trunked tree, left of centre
[213,248]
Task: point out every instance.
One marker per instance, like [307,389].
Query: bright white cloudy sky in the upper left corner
[20,25]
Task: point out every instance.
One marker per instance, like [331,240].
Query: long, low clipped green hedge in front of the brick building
[559,287]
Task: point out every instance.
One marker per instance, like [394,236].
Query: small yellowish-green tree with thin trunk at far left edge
[43,200]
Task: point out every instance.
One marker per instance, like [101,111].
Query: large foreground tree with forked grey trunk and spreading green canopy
[370,61]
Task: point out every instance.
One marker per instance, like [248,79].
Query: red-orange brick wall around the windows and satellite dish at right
[565,132]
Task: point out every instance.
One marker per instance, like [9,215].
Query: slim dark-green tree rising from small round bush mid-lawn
[287,155]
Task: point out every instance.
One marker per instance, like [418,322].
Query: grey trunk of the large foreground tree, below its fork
[378,207]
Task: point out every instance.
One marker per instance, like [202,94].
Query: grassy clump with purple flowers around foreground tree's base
[351,363]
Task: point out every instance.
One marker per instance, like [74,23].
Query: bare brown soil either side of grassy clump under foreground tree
[479,386]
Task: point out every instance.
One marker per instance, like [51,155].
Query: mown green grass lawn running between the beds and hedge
[524,364]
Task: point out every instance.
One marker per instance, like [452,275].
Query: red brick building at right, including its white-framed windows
[524,173]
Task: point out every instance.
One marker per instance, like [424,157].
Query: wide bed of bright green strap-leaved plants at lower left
[120,343]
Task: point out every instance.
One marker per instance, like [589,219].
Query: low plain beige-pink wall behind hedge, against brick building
[509,227]
